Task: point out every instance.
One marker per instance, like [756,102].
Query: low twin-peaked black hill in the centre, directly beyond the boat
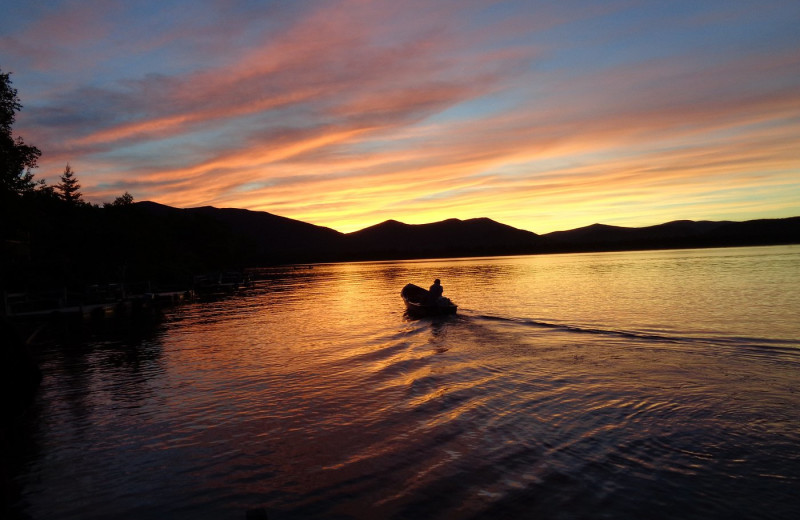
[452,237]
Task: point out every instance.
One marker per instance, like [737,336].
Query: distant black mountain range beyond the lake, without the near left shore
[265,238]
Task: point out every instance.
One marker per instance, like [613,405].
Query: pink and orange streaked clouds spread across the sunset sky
[385,110]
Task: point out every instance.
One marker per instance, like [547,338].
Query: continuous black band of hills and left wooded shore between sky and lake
[47,243]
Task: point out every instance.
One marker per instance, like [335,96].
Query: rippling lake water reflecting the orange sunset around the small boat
[617,385]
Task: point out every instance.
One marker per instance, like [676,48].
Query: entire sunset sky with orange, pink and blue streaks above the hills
[541,115]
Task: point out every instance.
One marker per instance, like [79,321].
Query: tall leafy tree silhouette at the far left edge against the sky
[16,158]
